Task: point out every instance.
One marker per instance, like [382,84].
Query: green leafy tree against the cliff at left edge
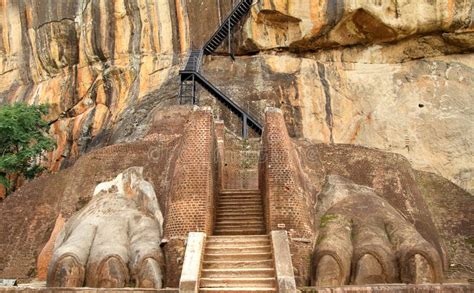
[23,140]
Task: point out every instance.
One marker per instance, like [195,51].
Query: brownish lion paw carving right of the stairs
[364,240]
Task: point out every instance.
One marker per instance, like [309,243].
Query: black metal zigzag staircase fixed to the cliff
[190,75]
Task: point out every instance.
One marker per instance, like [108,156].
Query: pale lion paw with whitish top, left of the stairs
[114,241]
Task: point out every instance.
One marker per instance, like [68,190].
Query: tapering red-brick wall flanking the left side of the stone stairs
[190,204]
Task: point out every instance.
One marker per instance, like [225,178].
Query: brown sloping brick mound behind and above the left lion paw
[29,215]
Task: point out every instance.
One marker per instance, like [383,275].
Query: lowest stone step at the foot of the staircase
[237,282]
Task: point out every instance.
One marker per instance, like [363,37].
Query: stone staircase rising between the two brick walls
[239,257]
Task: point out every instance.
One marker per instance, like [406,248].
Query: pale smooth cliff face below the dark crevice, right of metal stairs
[421,109]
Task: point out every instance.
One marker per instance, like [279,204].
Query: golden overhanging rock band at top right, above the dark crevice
[308,25]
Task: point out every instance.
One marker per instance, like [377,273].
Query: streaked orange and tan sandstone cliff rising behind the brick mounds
[393,75]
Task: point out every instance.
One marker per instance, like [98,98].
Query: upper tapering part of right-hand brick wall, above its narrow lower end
[285,197]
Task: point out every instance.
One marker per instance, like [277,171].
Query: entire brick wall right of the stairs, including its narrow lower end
[287,203]
